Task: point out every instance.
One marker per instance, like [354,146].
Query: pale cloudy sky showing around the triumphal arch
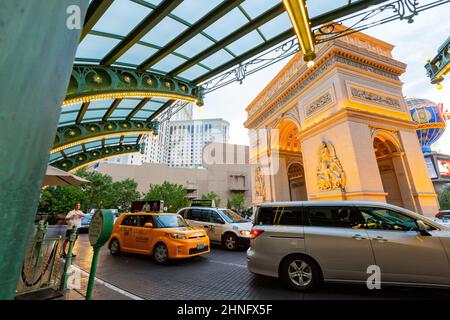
[413,42]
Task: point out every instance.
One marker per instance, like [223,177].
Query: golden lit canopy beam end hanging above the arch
[298,14]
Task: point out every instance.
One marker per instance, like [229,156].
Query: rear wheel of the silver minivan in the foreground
[300,273]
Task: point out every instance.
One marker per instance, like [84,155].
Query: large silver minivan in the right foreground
[305,243]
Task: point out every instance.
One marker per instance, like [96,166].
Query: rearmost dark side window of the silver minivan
[288,216]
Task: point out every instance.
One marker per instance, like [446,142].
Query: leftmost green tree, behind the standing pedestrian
[61,199]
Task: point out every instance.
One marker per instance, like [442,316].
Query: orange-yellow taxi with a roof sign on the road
[163,235]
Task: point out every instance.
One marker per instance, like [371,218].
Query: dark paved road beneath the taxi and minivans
[221,275]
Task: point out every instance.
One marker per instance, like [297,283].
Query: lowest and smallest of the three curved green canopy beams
[84,159]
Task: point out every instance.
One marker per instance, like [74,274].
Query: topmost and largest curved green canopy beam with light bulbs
[92,82]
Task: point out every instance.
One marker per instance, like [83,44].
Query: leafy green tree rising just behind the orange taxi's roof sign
[174,195]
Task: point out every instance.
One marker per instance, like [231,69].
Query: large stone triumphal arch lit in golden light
[340,130]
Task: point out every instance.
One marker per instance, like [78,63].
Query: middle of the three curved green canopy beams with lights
[77,134]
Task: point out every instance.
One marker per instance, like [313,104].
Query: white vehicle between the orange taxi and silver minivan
[222,225]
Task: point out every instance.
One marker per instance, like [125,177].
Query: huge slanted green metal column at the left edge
[38,50]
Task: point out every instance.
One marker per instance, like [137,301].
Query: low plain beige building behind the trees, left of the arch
[227,172]
